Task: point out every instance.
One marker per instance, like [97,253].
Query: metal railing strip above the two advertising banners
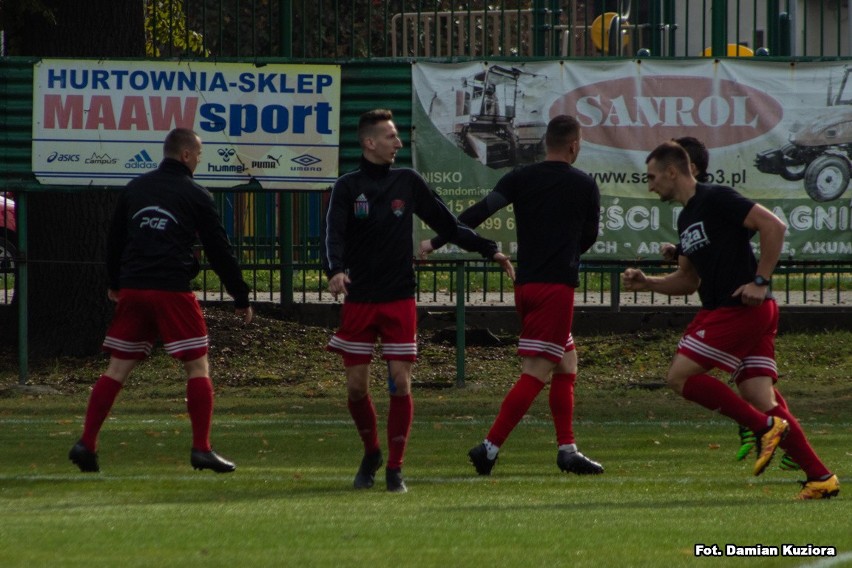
[334,29]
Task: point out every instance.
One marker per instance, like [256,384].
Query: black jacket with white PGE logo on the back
[159,218]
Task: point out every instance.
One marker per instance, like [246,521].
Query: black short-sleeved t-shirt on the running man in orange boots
[714,239]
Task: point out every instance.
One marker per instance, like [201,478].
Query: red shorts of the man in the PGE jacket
[141,316]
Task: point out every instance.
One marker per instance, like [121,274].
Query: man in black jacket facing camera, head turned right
[369,256]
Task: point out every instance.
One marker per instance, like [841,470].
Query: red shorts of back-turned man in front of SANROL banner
[547,311]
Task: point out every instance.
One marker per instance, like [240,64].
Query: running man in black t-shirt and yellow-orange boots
[735,329]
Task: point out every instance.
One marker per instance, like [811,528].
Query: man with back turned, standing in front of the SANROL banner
[557,211]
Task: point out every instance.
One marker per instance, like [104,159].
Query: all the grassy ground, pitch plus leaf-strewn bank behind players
[671,479]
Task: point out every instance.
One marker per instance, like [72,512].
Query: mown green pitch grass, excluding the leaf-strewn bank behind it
[670,483]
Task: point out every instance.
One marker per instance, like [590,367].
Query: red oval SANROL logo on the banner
[635,114]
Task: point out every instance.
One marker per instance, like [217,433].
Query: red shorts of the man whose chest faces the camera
[361,323]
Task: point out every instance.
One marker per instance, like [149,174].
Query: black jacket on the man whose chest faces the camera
[370,230]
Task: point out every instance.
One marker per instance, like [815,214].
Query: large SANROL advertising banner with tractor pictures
[779,133]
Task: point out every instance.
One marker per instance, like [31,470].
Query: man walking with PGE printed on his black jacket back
[150,263]
